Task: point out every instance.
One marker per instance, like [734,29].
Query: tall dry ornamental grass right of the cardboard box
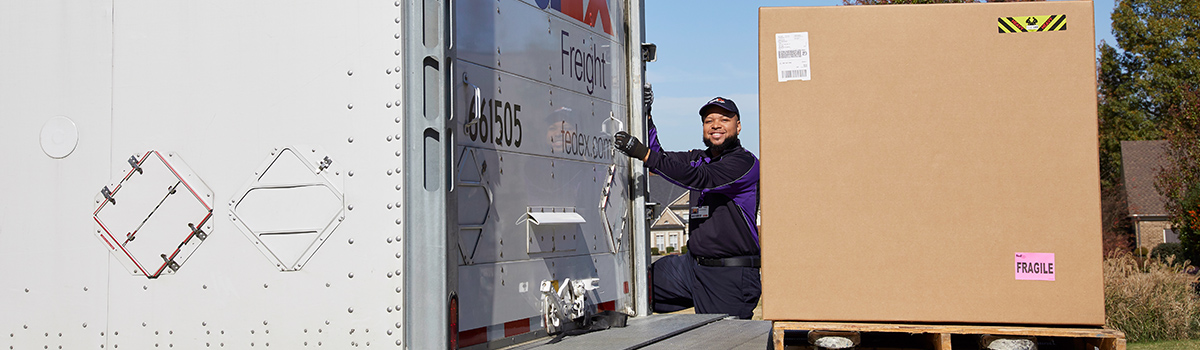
[1150,301]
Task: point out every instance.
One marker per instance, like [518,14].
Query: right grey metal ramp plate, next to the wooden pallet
[725,335]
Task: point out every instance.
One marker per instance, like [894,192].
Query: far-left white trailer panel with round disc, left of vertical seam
[57,63]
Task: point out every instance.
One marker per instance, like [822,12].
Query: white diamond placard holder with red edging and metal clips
[157,216]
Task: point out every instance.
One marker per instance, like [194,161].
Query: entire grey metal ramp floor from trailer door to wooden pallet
[669,331]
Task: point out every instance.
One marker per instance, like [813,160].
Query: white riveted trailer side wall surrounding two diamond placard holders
[221,85]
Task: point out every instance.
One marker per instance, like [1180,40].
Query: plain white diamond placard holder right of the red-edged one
[291,207]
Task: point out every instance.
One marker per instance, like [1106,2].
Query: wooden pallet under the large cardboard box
[939,337]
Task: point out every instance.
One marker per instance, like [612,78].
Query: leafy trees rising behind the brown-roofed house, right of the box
[1141,85]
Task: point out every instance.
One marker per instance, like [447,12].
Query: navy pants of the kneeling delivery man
[680,283]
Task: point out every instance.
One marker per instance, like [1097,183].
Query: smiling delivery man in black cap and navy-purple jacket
[721,271]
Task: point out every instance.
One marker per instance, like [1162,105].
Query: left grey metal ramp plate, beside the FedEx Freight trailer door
[638,334]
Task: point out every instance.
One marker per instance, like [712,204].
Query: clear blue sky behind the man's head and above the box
[711,49]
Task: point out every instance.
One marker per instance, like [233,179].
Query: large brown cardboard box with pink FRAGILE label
[931,164]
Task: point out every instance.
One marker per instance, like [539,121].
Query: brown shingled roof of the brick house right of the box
[1142,161]
